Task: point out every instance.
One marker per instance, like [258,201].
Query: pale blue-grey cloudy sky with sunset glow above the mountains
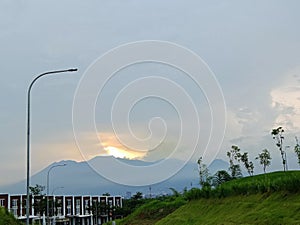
[251,47]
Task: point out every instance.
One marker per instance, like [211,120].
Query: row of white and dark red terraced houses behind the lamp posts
[65,209]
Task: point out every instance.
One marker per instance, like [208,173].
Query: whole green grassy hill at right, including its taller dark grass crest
[272,198]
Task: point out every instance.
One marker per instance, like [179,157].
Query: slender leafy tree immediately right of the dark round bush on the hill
[234,157]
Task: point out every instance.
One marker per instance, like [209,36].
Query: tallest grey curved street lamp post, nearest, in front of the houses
[28,133]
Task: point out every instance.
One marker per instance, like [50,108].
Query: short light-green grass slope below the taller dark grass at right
[275,208]
